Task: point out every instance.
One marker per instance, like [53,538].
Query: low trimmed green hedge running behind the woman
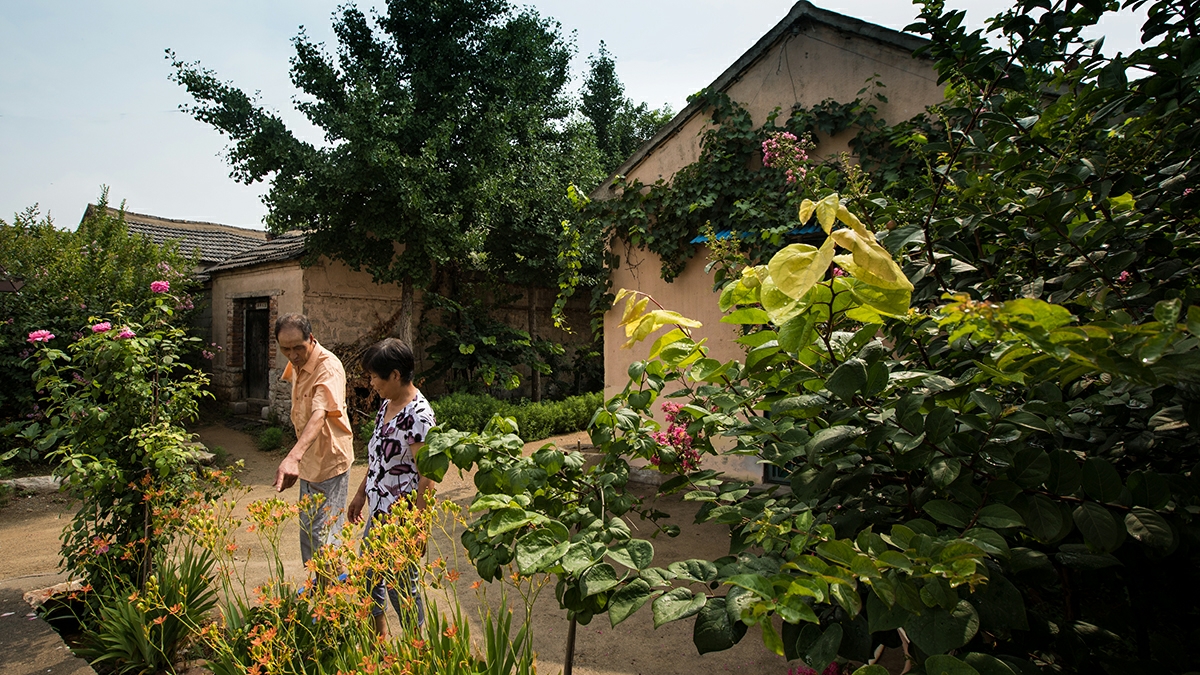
[472,413]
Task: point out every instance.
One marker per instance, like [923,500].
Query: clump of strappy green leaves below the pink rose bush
[145,631]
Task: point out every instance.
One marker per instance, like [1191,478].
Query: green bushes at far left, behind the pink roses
[70,277]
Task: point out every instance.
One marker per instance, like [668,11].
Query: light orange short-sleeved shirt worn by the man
[321,385]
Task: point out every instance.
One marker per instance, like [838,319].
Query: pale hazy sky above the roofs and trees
[85,97]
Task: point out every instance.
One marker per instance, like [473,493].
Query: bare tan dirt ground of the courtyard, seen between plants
[31,528]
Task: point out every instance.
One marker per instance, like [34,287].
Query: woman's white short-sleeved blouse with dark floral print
[392,467]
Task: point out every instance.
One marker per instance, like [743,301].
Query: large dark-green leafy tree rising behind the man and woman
[429,110]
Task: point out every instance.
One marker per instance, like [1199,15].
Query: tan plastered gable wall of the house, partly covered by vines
[812,67]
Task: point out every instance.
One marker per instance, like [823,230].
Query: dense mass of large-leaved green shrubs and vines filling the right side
[1009,477]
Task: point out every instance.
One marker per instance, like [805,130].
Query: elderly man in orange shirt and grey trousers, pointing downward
[325,451]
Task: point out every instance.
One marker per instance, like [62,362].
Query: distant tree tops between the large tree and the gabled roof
[620,126]
